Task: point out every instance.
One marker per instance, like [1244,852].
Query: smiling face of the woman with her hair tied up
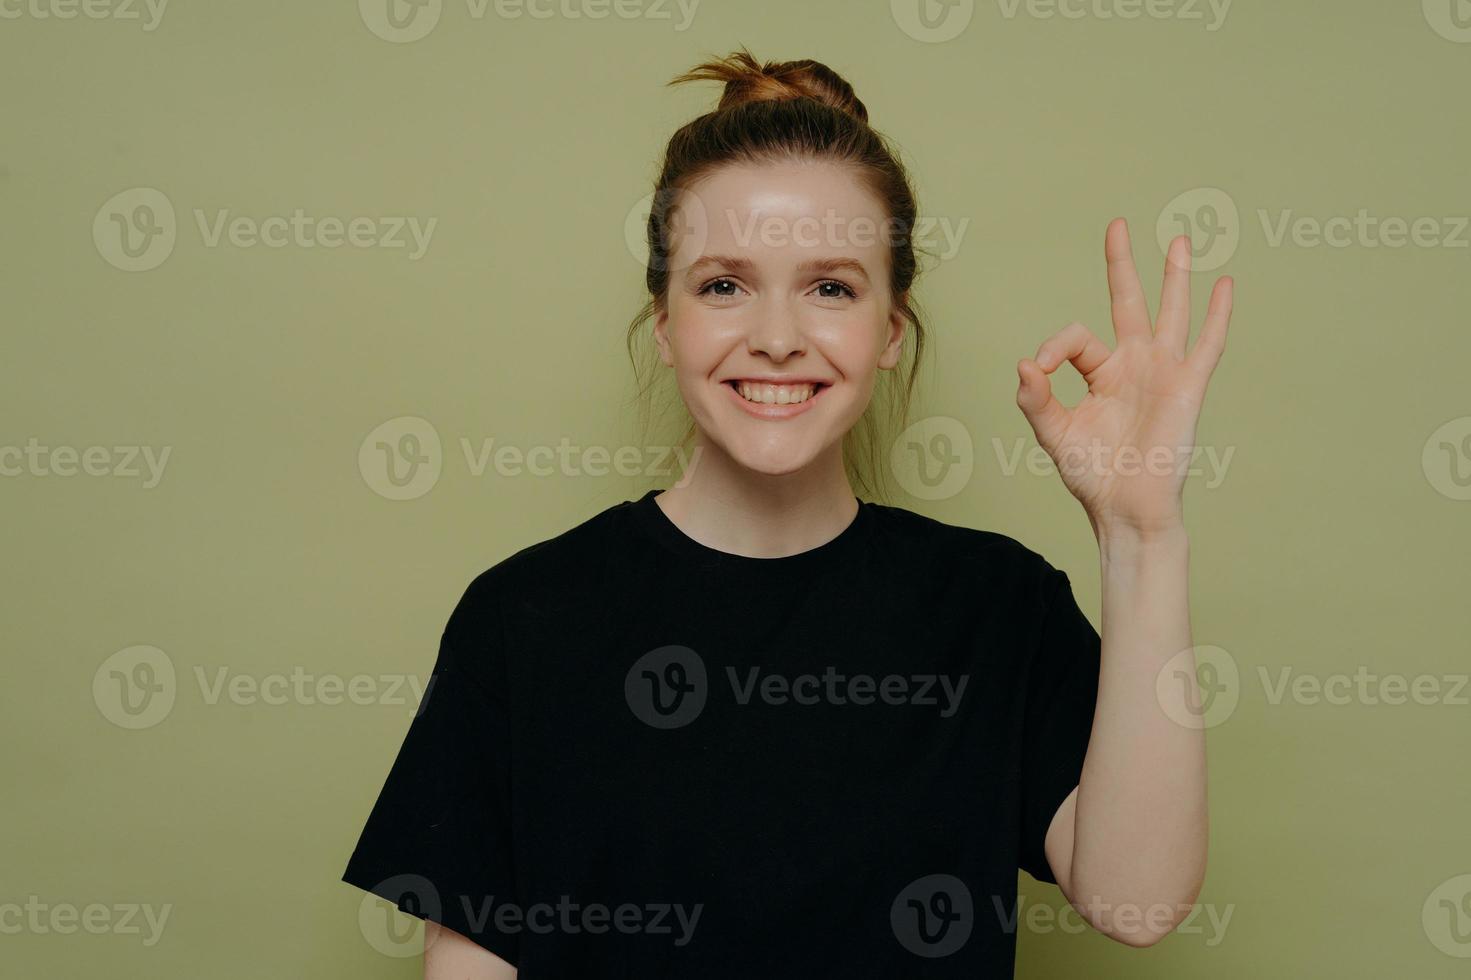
[779,313]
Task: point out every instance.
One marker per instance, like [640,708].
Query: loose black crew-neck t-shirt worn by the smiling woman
[641,757]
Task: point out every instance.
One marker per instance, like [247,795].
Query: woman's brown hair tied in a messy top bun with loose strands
[777,113]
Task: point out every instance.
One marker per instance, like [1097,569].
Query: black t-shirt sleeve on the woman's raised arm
[1061,691]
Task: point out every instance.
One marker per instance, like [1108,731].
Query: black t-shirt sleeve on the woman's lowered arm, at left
[438,841]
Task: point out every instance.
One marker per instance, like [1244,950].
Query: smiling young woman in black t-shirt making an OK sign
[754,726]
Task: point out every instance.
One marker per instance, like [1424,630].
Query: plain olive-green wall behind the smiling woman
[1329,545]
